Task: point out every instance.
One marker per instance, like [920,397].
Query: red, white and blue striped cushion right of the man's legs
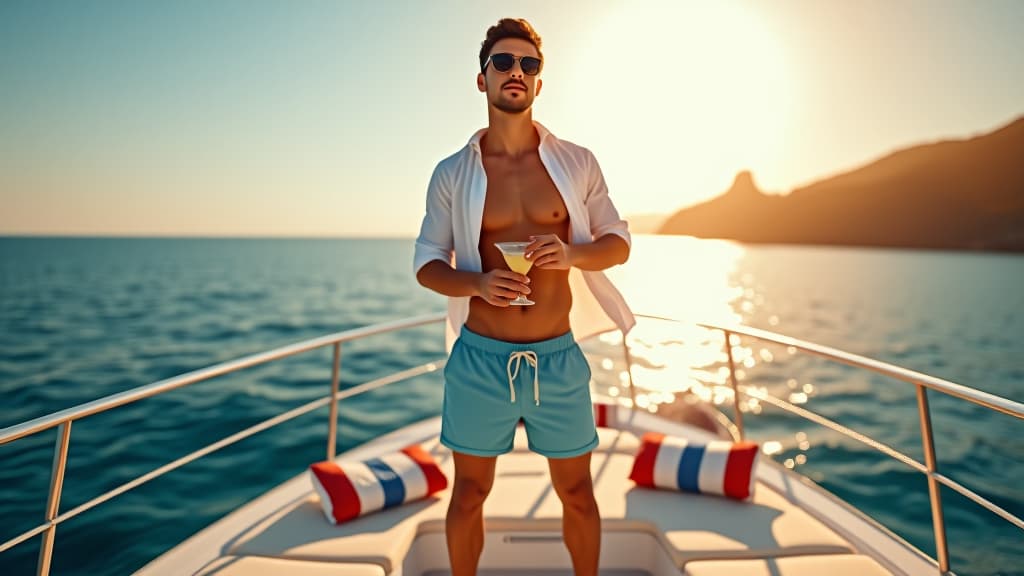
[715,468]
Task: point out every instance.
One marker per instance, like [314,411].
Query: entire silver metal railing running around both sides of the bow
[63,420]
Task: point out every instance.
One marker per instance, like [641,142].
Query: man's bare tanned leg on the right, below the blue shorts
[581,519]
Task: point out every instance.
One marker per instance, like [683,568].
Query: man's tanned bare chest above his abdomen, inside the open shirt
[522,194]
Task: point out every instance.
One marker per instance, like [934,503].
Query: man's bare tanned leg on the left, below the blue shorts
[464,526]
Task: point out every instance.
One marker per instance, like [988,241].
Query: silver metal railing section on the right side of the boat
[923,383]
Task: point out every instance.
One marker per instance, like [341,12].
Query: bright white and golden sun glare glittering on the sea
[682,364]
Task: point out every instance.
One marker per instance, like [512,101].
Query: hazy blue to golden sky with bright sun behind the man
[326,118]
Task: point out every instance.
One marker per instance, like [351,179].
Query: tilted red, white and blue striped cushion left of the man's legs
[350,489]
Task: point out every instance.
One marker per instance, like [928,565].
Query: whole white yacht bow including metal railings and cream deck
[788,526]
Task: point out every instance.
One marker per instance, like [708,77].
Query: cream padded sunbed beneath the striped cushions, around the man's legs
[693,527]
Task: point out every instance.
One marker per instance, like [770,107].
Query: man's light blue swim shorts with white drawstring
[491,385]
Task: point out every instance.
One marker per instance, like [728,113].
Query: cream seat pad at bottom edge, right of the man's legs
[833,565]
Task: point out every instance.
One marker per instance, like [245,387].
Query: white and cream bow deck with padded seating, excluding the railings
[783,532]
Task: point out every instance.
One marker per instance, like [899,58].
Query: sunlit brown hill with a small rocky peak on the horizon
[965,194]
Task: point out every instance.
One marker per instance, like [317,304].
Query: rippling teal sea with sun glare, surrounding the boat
[86,318]
